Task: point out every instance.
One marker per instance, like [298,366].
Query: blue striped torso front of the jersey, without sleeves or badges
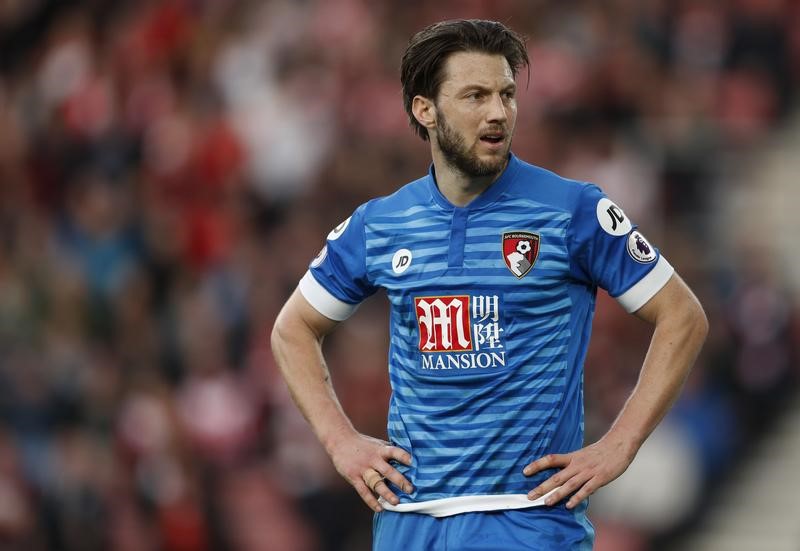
[473,419]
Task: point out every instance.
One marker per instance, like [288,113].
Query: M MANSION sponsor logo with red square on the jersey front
[460,332]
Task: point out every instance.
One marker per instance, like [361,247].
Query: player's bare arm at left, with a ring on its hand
[362,460]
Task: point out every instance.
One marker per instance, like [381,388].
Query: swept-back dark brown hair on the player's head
[421,71]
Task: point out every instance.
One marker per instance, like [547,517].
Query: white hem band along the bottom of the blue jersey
[449,506]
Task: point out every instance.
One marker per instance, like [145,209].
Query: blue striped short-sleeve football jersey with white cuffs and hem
[491,309]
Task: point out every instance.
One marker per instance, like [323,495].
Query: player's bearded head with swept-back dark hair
[458,90]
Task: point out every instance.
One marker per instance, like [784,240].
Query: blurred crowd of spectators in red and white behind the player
[168,169]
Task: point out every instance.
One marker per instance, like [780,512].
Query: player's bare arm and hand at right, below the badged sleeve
[680,330]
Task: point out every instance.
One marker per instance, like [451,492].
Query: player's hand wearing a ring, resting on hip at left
[364,462]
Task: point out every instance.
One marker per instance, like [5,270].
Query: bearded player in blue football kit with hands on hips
[491,267]
